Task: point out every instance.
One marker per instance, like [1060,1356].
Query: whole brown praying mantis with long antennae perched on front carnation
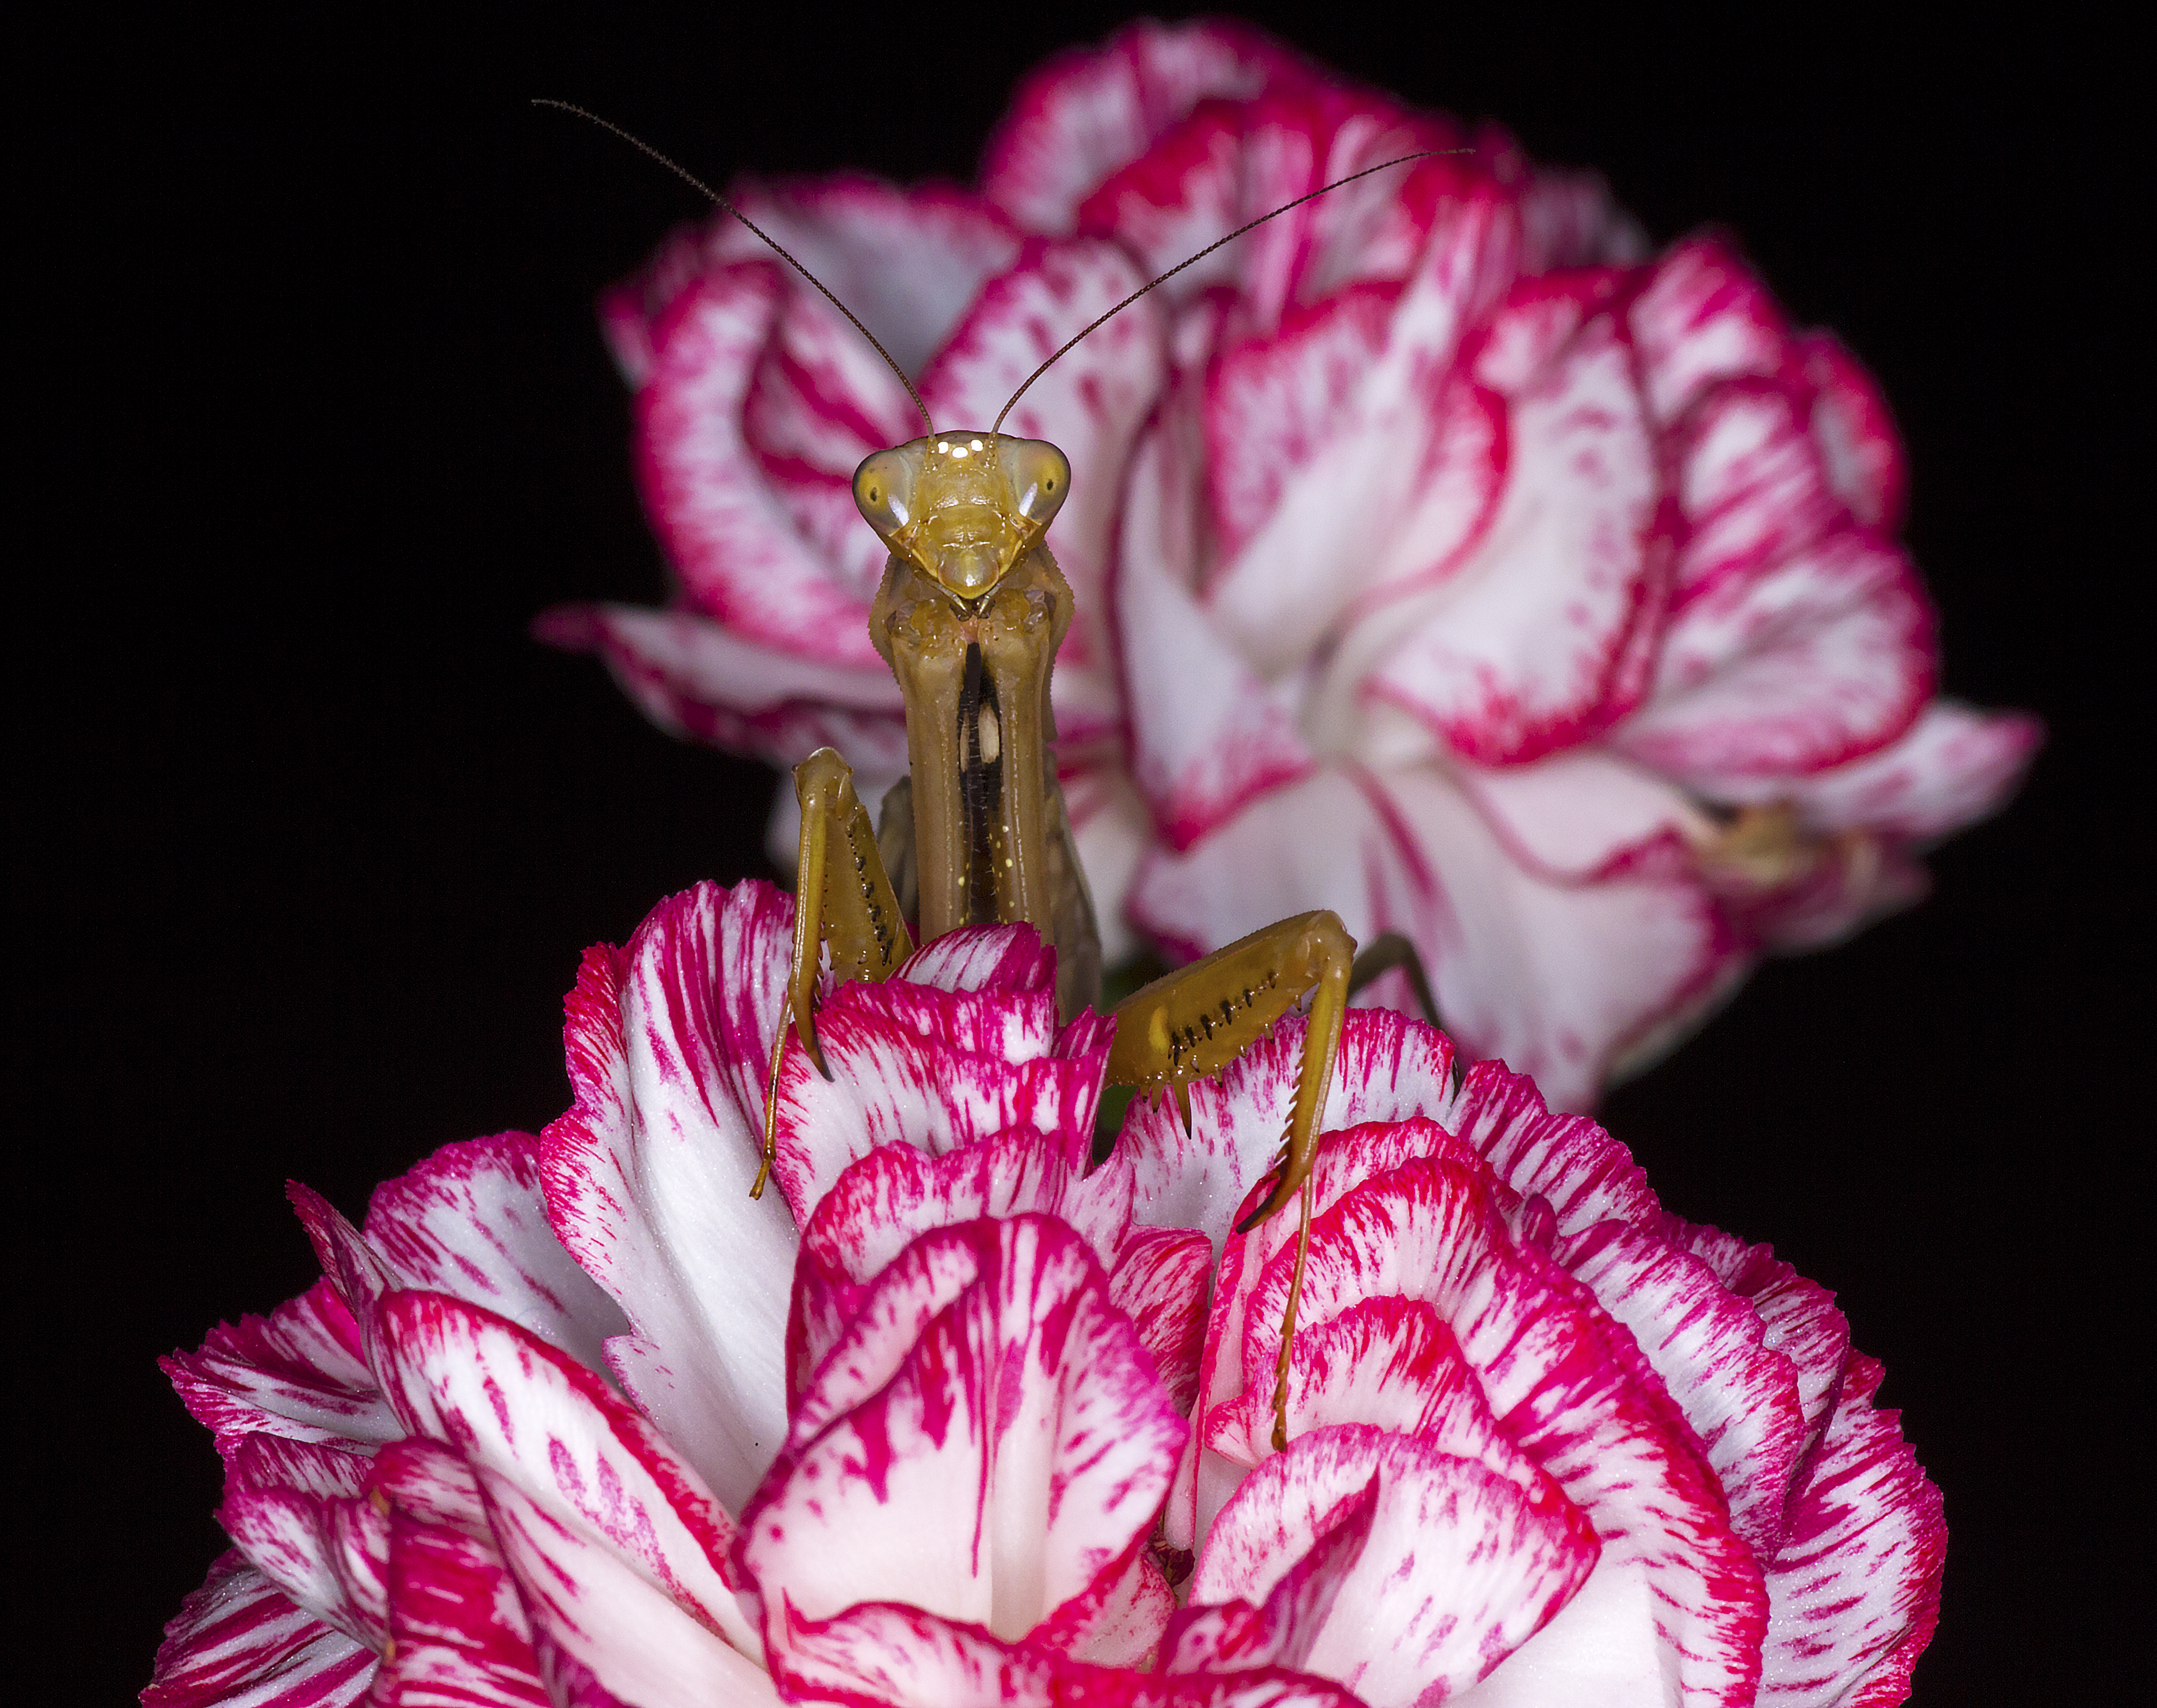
[970,616]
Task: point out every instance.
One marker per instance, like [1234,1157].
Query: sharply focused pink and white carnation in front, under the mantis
[959,1416]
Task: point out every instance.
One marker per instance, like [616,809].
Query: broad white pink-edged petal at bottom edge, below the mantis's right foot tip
[1459,1567]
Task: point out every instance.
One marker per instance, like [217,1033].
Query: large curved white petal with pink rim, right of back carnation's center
[1537,639]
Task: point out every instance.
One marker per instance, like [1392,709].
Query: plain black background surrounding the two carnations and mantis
[320,422]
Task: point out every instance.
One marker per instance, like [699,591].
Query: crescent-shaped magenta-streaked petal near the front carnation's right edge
[1712,1351]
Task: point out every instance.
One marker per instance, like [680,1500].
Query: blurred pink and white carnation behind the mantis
[1442,555]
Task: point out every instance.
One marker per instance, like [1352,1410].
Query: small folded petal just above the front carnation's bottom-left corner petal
[303,1524]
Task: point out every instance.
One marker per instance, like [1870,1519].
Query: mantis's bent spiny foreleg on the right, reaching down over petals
[1203,1017]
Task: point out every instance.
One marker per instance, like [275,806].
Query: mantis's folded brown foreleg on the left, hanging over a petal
[842,900]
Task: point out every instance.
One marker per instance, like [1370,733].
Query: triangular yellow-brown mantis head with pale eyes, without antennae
[963,508]
